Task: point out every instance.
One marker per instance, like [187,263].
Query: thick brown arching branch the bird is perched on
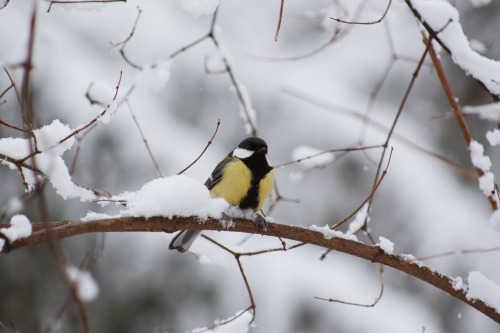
[374,254]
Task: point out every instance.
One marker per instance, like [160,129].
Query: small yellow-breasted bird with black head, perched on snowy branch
[243,178]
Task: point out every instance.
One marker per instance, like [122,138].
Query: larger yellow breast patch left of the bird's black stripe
[235,183]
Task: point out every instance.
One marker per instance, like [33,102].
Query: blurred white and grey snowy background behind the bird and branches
[304,101]
